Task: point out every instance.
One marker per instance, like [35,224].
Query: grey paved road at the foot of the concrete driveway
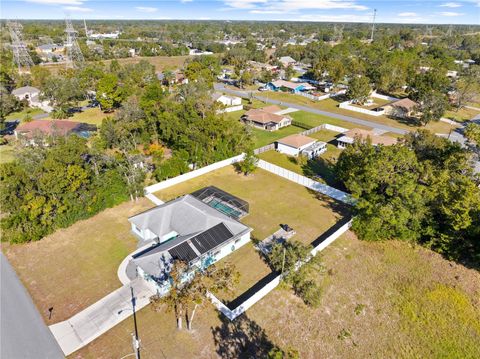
[23,334]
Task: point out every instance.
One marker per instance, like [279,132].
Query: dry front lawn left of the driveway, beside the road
[75,267]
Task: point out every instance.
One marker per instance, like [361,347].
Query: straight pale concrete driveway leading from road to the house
[89,324]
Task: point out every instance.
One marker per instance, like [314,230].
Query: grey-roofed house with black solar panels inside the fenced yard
[193,228]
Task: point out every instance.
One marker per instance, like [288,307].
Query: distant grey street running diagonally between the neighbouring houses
[350,119]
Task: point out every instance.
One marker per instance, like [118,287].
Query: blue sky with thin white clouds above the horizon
[398,11]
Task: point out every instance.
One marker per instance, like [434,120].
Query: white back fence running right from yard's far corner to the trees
[306,182]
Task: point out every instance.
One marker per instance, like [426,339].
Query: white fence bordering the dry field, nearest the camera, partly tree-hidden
[232,314]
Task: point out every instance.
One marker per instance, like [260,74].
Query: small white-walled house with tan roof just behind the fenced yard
[297,144]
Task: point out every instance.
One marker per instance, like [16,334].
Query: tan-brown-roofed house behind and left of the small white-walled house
[267,118]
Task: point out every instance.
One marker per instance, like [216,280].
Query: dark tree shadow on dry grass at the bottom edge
[241,338]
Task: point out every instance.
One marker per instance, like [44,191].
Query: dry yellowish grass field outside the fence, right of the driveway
[380,300]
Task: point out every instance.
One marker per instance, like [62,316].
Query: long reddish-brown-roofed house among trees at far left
[28,130]
